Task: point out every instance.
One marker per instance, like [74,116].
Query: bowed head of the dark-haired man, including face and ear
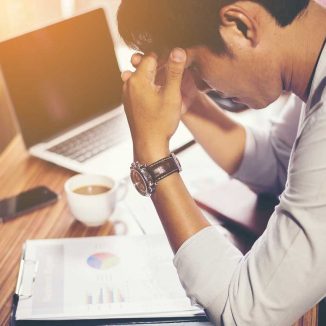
[232,46]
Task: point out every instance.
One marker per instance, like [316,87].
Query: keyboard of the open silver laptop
[92,142]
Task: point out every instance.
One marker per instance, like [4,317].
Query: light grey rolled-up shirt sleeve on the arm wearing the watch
[283,275]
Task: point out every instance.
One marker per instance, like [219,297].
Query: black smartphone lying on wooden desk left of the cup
[26,202]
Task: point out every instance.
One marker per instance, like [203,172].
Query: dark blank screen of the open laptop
[61,76]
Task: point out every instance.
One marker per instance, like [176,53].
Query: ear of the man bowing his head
[240,22]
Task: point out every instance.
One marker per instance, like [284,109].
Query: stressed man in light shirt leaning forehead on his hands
[249,51]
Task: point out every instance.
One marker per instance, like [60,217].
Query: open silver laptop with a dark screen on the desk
[65,87]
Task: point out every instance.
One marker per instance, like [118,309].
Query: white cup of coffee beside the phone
[93,209]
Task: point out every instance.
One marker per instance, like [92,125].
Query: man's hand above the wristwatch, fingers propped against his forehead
[153,111]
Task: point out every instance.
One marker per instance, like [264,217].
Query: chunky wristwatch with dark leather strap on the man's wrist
[145,177]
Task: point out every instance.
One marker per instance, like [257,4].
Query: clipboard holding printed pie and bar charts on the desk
[31,274]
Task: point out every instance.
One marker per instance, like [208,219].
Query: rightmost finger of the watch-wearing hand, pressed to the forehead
[175,69]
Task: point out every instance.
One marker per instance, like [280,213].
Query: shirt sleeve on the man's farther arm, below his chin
[267,151]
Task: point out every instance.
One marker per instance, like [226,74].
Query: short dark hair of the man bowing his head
[160,25]
